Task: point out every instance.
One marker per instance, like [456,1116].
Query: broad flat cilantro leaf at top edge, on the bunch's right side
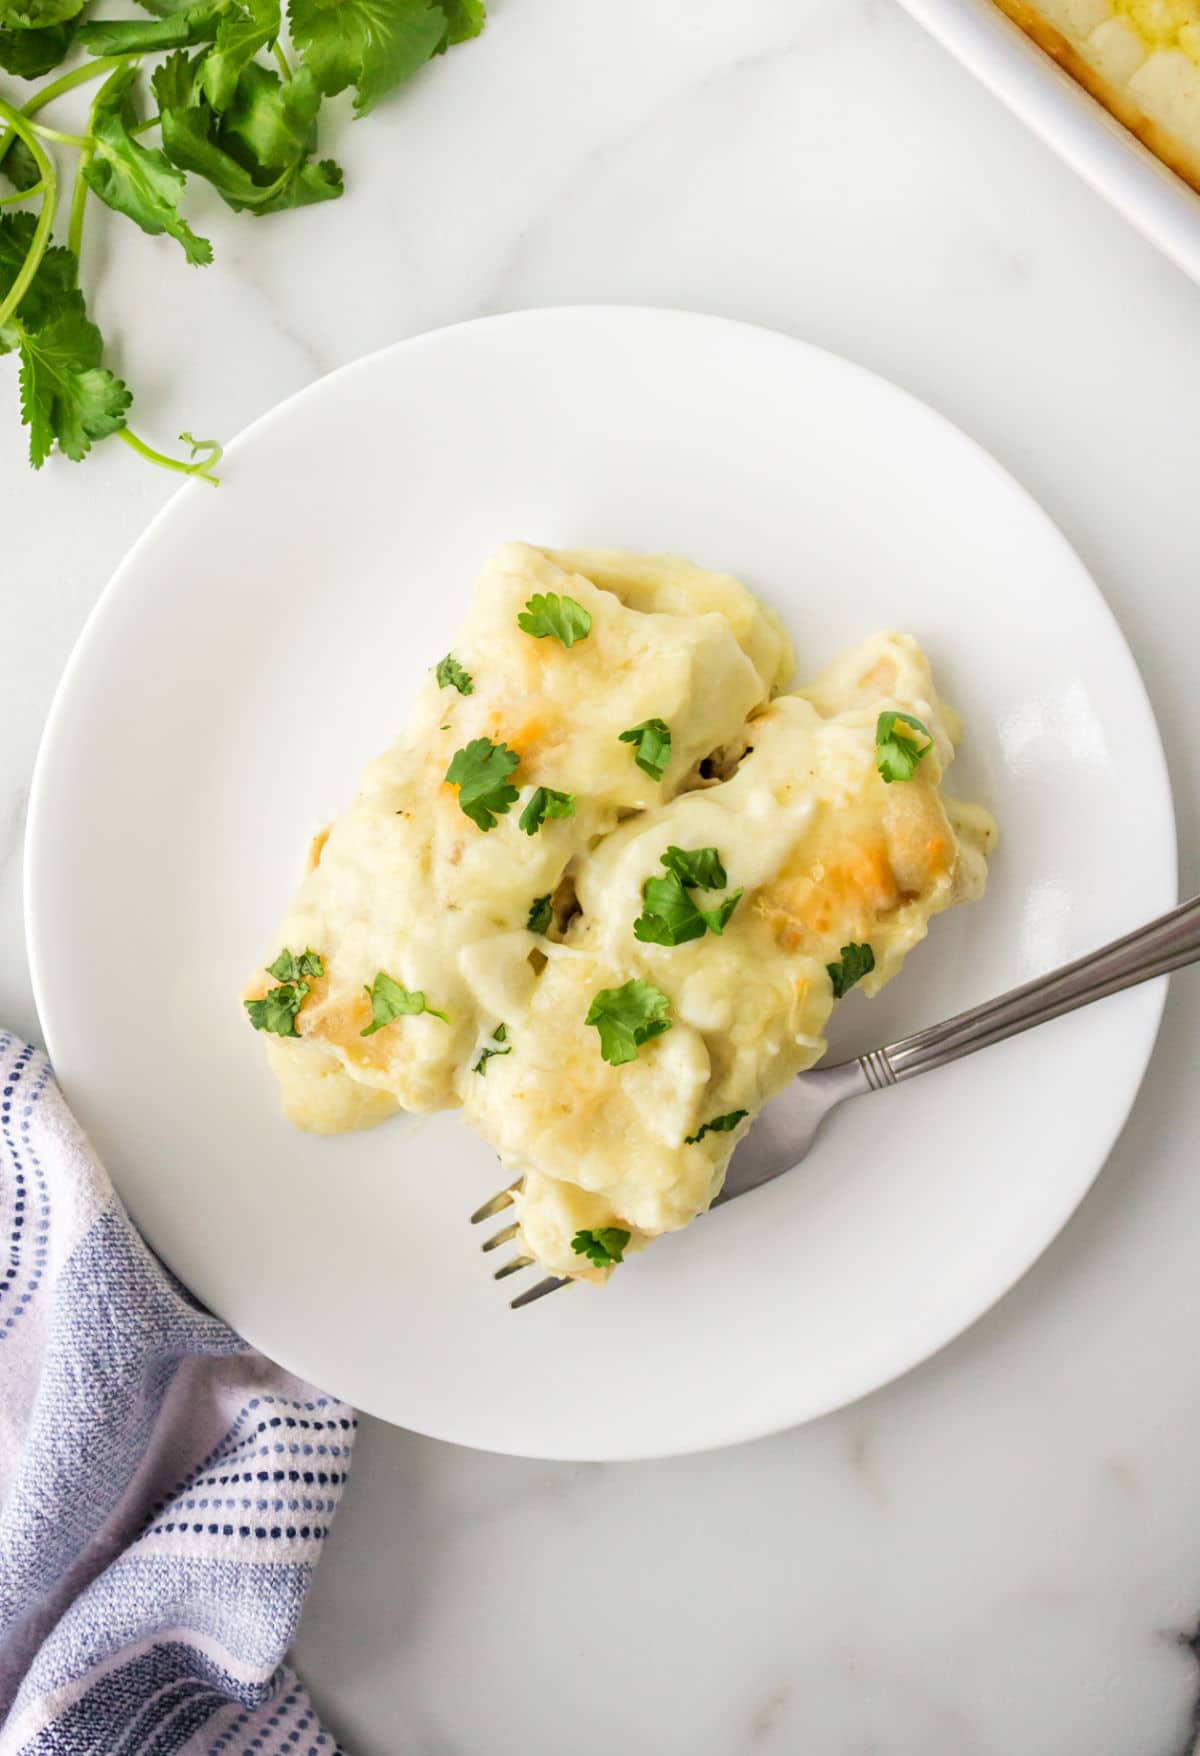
[370,45]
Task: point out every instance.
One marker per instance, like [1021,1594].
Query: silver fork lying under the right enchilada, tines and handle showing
[788,1126]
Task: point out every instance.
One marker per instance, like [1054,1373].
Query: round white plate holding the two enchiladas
[261,644]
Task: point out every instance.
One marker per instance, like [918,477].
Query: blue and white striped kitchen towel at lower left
[164,1492]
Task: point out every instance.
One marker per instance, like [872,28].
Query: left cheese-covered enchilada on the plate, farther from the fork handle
[405,882]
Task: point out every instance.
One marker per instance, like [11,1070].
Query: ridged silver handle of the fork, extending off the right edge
[1153,951]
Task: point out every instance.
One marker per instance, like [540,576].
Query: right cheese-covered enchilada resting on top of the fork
[827,854]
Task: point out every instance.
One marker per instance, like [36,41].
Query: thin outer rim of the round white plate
[1157,782]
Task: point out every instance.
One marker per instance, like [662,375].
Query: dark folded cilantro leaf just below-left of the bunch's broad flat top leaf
[256,154]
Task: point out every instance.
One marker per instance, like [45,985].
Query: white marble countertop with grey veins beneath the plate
[1002,1553]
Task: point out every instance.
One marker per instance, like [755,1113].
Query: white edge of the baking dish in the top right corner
[1074,124]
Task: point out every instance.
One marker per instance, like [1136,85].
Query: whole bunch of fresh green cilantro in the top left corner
[231,108]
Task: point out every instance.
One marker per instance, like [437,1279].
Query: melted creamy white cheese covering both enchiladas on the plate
[823,851]
